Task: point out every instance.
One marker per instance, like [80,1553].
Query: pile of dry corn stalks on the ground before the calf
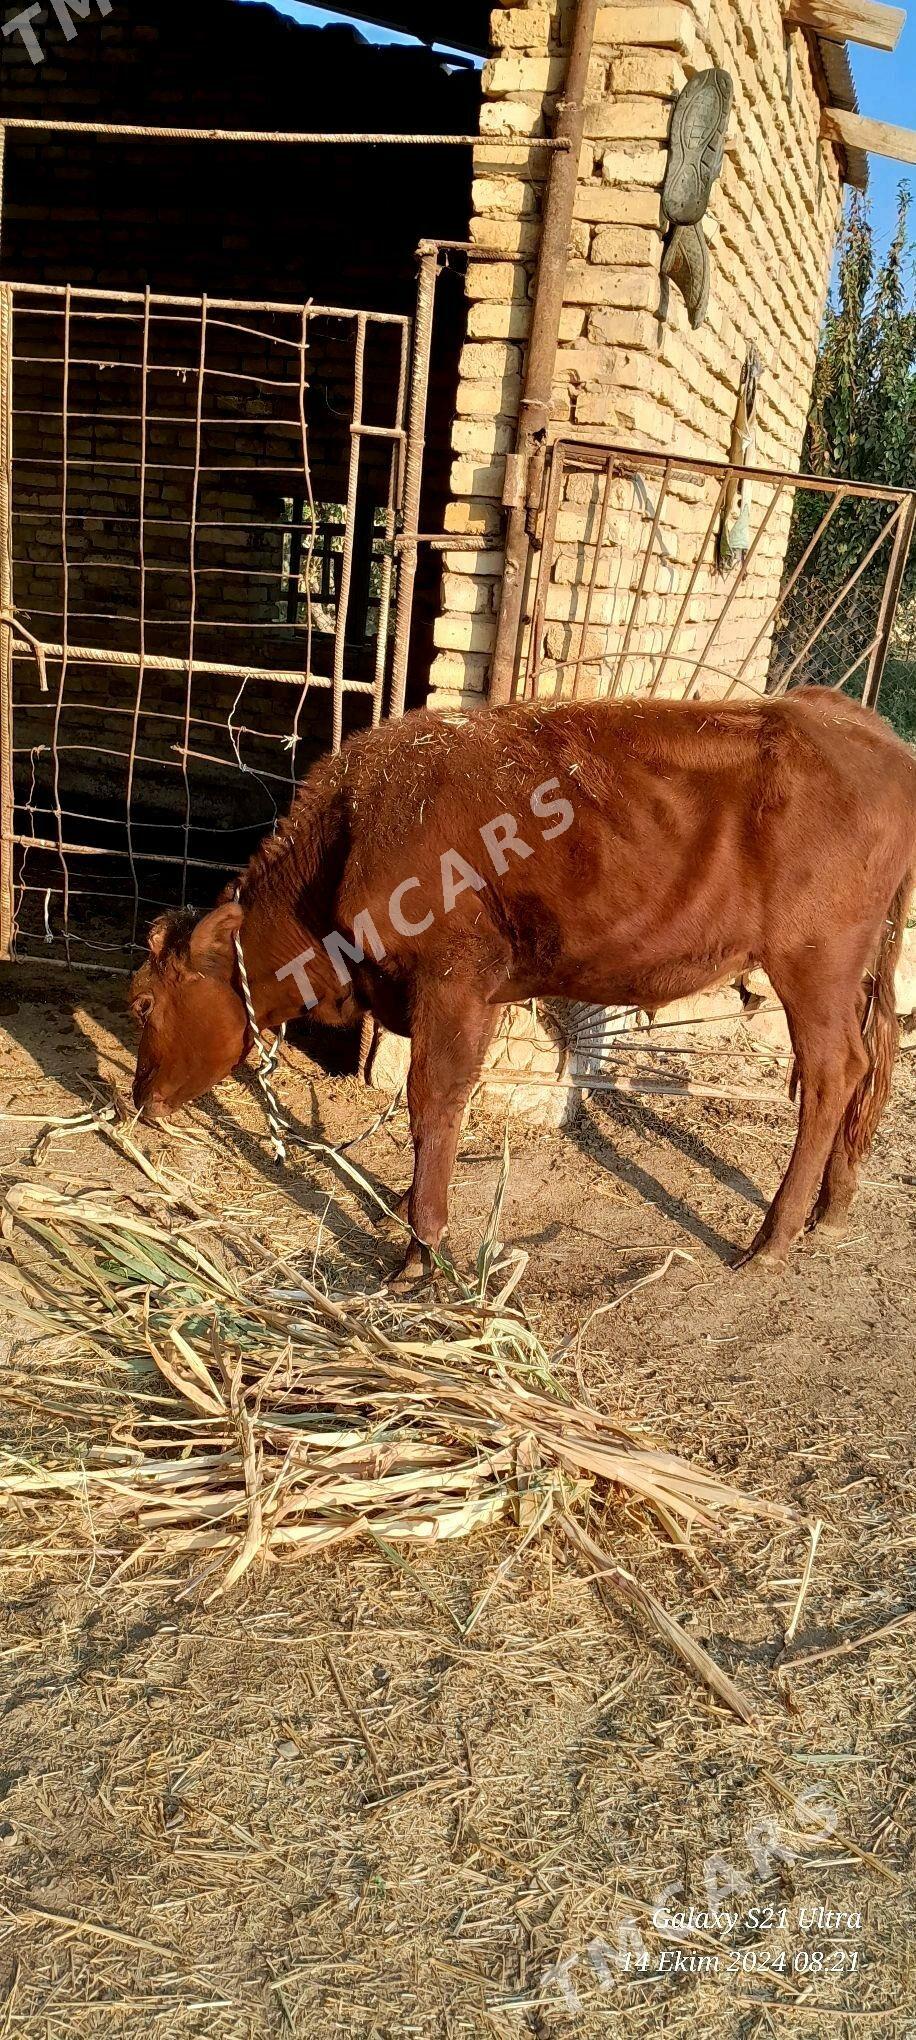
[295,1421]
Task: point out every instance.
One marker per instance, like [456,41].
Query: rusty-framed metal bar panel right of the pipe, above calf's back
[660,574]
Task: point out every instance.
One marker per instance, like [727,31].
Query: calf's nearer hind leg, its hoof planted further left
[831,1064]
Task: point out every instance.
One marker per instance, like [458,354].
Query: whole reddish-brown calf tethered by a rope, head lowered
[623,854]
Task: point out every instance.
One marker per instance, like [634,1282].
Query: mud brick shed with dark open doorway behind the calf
[299,429]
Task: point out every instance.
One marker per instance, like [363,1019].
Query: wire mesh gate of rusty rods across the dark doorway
[201,513]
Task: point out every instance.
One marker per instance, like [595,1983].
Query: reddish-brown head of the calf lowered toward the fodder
[193,1023]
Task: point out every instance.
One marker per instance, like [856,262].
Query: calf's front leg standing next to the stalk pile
[450,1035]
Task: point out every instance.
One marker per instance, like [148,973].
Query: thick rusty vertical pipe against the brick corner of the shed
[544,340]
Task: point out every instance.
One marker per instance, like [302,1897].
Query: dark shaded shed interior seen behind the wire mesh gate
[248,223]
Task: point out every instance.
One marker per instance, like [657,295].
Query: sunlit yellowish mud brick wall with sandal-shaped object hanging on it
[623,372]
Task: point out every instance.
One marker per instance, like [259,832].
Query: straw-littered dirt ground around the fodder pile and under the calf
[317,1808]
